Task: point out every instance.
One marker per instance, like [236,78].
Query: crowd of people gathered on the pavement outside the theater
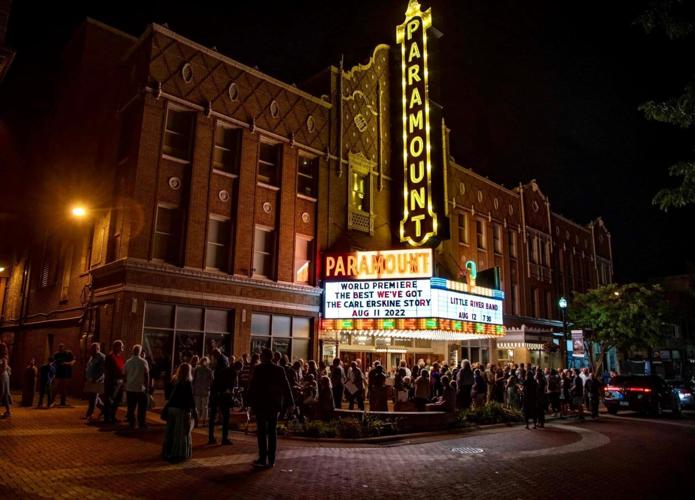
[204,391]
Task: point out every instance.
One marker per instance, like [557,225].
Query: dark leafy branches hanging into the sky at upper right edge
[676,19]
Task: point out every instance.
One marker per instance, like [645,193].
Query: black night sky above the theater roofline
[531,89]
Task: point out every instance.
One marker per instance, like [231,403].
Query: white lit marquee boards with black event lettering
[407,298]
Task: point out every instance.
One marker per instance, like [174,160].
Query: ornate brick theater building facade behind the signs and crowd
[212,191]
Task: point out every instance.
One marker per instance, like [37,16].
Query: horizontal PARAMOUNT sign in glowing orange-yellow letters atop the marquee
[384,264]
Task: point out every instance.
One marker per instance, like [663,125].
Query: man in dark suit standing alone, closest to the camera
[269,393]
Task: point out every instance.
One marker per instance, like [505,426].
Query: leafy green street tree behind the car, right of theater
[619,316]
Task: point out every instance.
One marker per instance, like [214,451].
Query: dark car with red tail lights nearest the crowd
[644,393]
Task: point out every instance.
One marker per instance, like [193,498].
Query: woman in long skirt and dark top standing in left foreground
[179,414]
